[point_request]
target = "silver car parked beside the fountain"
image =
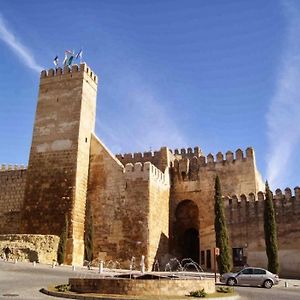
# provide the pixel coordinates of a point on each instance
(251, 276)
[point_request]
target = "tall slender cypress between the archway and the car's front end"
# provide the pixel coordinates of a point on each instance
(224, 259)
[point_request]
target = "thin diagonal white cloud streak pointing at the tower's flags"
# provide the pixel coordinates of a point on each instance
(22, 52)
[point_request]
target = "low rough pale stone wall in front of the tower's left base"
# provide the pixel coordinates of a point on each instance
(30, 247)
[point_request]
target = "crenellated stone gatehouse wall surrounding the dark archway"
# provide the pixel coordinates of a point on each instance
(194, 179)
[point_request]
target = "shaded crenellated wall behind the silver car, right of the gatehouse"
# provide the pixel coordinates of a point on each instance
(245, 223)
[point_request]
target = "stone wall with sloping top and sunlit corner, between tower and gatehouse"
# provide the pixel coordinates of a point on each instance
(130, 206)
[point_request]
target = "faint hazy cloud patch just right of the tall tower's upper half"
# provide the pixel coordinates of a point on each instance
(143, 122)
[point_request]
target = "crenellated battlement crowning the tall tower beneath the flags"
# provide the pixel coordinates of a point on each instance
(69, 72)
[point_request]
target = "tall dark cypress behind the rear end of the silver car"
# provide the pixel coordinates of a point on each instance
(270, 230)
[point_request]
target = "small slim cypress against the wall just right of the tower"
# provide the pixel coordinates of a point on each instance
(89, 236)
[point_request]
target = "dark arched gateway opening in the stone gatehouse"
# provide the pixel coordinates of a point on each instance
(186, 230)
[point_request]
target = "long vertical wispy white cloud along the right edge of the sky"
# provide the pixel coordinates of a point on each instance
(283, 117)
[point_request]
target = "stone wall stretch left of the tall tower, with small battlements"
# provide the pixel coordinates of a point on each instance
(12, 188)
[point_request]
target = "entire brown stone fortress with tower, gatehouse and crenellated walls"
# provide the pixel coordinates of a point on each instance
(160, 205)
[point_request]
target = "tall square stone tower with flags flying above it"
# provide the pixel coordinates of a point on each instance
(57, 176)
